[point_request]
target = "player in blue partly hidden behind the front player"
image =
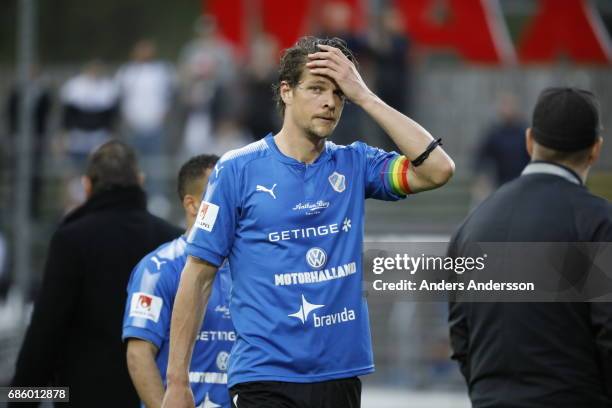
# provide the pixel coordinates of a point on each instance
(151, 293)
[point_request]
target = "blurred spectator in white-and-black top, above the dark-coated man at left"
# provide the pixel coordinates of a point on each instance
(90, 102)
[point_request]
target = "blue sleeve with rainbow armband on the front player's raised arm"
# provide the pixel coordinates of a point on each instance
(379, 178)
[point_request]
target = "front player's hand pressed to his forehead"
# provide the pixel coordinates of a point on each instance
(332, 63)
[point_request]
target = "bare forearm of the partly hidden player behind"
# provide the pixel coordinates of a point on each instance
(144, 372)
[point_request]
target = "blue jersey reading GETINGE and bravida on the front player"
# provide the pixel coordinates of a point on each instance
(293, 234)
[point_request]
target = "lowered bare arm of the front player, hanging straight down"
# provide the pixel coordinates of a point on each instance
(187, 316)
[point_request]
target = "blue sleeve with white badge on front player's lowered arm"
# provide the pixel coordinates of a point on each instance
(212, 235)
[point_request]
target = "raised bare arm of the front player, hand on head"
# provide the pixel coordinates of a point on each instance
(411, 138)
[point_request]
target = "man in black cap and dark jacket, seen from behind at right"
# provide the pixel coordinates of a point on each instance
(524, 355)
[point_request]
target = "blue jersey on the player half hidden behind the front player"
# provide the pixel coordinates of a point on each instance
(151, 292)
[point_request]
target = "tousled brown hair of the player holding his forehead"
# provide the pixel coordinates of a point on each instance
(294, 59)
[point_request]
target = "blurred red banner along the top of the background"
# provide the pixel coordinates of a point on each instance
(474, 29)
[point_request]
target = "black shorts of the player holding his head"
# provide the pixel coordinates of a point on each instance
(343, 393)
